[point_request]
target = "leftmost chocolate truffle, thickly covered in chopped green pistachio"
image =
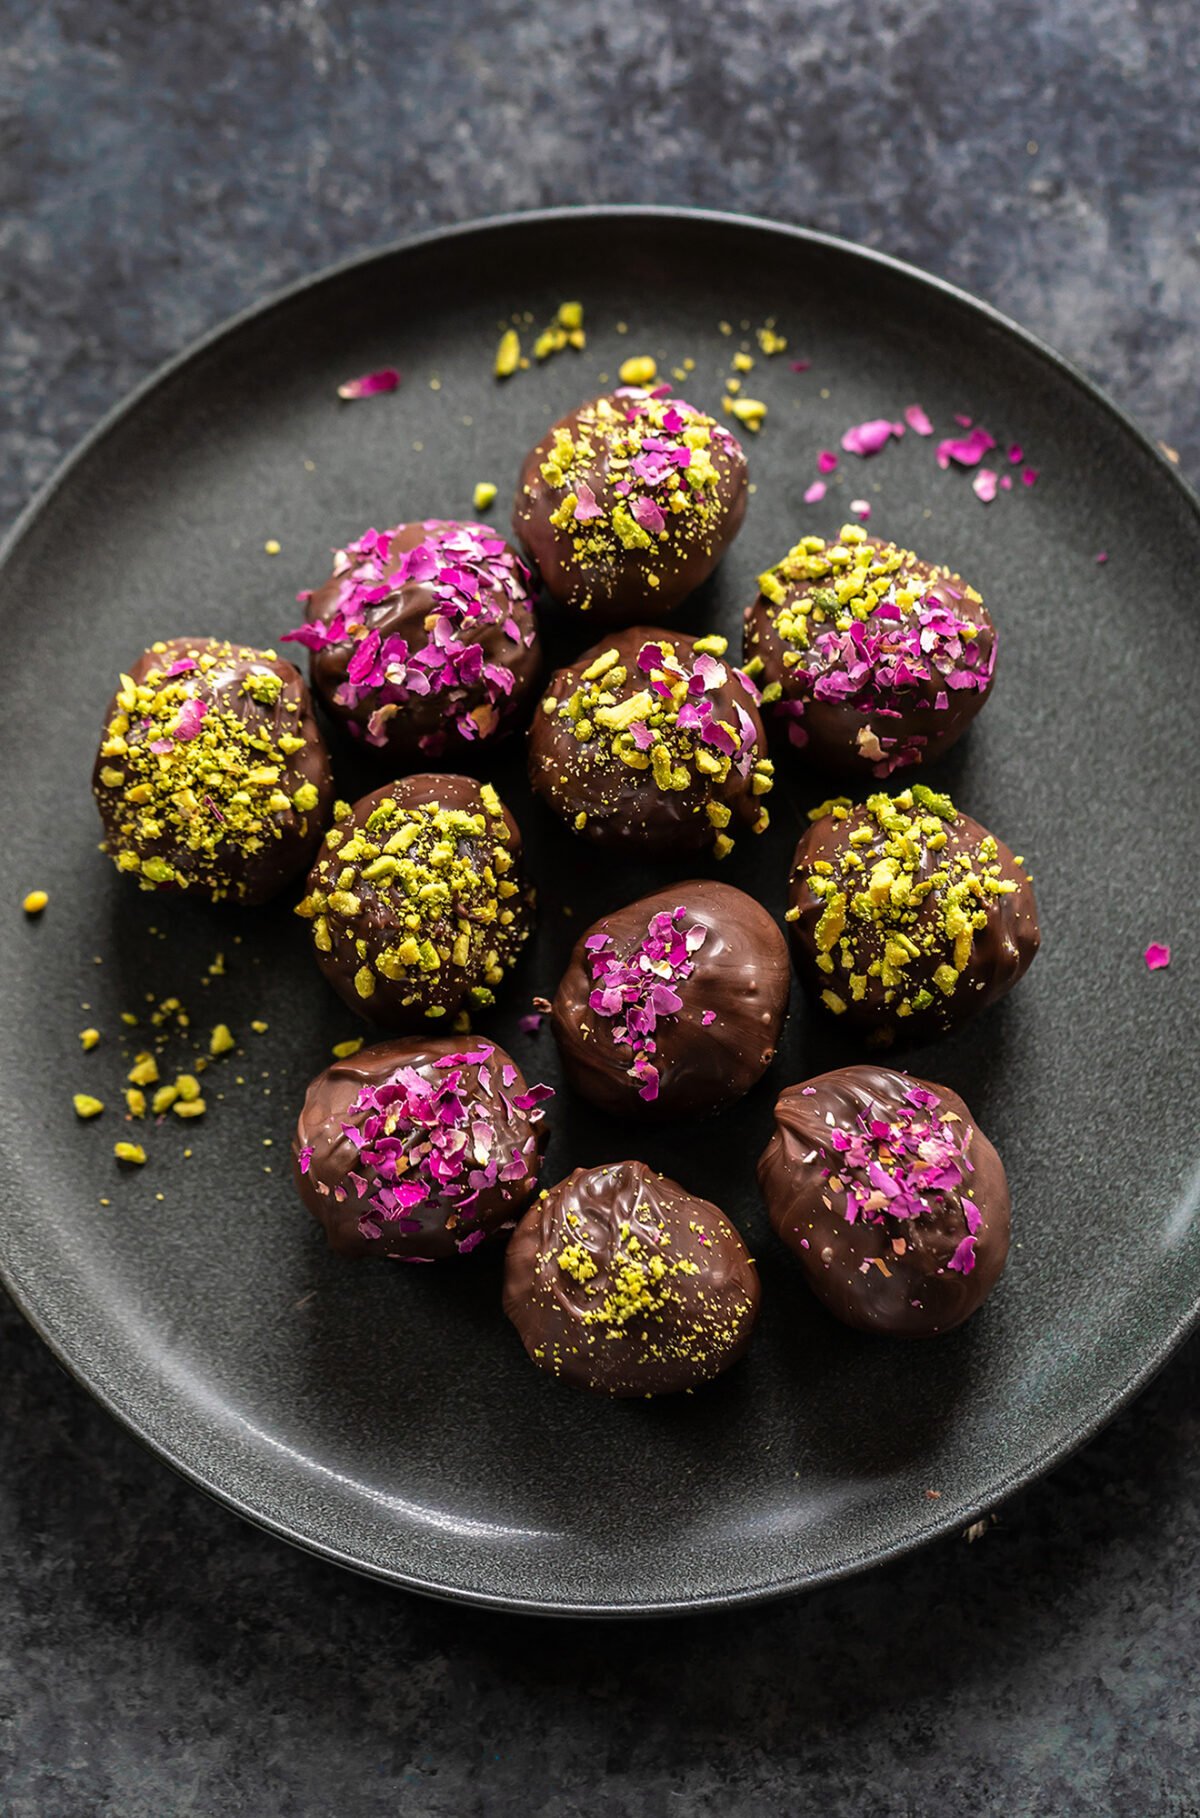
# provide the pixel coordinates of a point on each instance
(212, 774)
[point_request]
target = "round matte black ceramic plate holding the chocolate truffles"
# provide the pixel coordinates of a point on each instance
(388, 1417)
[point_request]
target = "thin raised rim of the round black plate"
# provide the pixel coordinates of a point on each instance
(935, 1524)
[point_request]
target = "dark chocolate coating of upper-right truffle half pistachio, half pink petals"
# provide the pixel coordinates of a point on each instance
(877, 730)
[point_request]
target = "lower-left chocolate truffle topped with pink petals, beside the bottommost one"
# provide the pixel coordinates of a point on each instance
(419, 1150)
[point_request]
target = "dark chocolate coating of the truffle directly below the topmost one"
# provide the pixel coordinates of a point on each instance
(626, 810)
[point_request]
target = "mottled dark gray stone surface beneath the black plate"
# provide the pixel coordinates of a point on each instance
(165, 165)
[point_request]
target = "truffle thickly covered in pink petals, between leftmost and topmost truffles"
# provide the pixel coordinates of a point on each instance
(425, 639)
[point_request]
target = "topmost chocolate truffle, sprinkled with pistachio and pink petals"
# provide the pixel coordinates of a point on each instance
(628, 504)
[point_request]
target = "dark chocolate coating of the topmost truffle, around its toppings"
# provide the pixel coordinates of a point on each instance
(585, 563)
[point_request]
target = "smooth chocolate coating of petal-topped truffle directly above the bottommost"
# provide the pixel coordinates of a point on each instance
(741, 974)
